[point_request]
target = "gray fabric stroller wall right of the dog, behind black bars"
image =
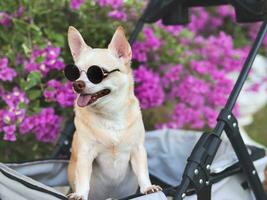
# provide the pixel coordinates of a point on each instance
(169, 149)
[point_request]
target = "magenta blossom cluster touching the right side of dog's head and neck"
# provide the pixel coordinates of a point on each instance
(148, 87)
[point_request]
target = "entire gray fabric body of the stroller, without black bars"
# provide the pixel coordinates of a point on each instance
(167, 153)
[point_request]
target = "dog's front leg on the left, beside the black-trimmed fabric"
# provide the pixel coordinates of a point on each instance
(81, 169)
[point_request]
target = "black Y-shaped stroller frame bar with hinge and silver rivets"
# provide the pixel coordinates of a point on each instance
(206, 148)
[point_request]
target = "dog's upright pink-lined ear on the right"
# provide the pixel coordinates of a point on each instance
(120, 46)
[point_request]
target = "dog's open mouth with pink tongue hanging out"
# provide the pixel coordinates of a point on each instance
(87, 99)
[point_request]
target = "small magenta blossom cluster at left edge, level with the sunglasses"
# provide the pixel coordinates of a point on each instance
(6, 73)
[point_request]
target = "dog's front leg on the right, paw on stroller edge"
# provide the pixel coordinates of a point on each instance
(139, 165)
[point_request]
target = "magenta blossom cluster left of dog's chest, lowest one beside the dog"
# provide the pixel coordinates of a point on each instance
(45, 125)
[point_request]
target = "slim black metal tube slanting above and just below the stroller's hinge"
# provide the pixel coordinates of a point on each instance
(242, 76)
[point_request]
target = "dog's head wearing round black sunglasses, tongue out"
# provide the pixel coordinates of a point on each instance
(111, 69)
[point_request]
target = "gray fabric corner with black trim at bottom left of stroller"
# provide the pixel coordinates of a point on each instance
(20, 187)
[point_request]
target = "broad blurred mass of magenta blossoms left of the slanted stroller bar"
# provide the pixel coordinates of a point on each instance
(201, 86)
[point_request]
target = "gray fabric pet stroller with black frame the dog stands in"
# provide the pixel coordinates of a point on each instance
(188, 165)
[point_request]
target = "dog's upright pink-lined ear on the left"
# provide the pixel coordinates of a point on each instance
(76, 43)
